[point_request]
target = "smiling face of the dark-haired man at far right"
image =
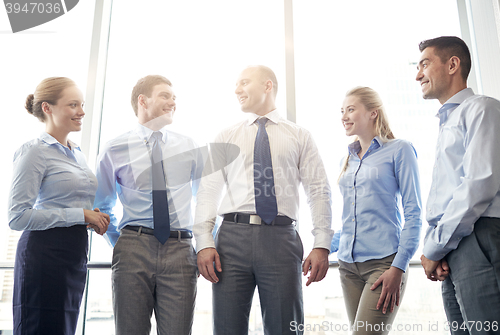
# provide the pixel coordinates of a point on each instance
(434, 76)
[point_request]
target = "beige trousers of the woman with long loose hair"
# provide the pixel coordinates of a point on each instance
(361, 302)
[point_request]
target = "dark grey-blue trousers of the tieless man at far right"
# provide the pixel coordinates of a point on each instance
(471, 293)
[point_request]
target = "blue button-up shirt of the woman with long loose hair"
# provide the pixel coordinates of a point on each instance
(374, 188)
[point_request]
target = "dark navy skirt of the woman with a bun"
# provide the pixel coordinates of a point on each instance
(49, 280)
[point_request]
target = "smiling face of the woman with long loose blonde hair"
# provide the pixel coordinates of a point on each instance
(356, 119)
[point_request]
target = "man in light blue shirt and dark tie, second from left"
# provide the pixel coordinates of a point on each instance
(149, 271)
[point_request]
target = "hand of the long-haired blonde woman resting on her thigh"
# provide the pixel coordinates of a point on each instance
(391, 288)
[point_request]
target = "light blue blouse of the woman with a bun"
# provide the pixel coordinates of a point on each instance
(51, 185)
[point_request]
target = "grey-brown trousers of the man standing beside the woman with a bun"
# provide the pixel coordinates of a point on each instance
(147, 276)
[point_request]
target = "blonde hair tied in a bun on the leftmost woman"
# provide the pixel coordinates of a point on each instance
(49, 90)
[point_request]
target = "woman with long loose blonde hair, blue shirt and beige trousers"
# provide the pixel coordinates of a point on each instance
(379, 174)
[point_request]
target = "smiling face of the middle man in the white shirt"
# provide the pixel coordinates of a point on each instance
(253, 92)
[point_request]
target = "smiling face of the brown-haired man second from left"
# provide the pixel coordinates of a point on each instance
(159, 108)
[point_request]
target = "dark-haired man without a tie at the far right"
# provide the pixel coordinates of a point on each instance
(462, 243)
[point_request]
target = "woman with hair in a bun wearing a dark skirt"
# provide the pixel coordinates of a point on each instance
(51, 200)
